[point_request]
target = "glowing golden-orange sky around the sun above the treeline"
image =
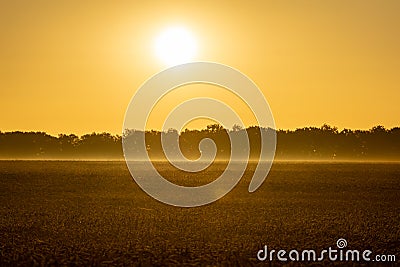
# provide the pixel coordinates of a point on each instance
(73, 66)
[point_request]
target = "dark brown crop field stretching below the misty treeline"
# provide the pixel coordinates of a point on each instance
(93, 213)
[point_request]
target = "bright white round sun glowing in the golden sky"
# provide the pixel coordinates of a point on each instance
(175, 46)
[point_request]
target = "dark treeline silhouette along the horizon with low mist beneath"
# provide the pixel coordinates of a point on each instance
(309, 143)
